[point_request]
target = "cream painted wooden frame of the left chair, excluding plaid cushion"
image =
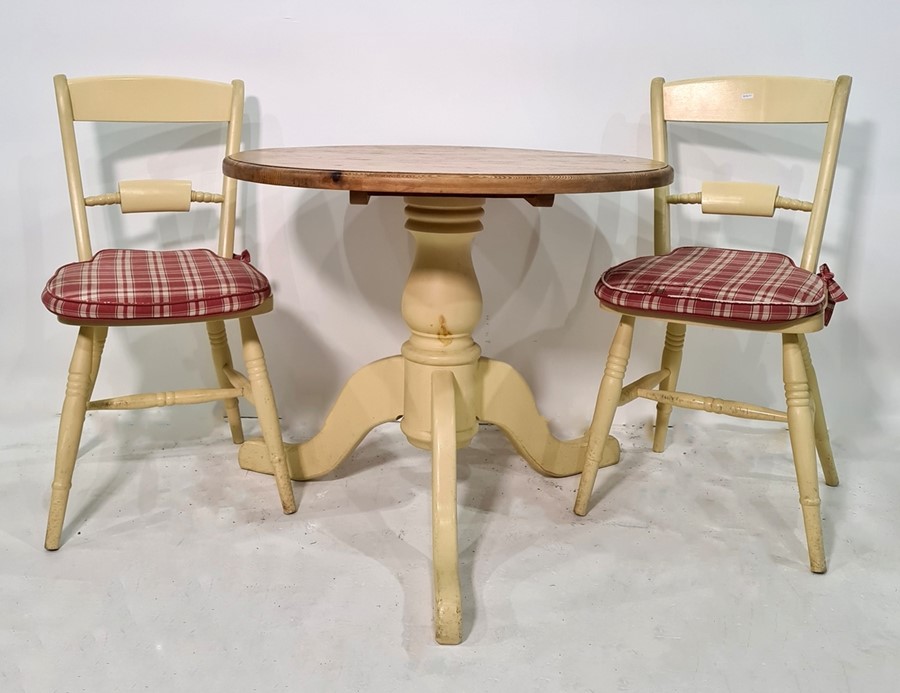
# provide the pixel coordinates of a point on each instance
(166, 100)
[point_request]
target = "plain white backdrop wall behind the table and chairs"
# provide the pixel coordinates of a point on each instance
(568, 75)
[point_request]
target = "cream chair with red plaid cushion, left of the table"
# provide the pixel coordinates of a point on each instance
(157, 287)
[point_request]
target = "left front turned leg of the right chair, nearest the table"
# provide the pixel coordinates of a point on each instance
(605, 409)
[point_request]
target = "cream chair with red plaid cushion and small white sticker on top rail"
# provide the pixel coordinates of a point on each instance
(724, 287)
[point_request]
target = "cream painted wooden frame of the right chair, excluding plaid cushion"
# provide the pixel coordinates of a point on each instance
(738, 100)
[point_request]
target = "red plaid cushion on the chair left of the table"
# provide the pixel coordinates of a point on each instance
(126, 285)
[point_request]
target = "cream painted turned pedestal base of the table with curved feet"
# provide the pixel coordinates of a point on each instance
(440, 388)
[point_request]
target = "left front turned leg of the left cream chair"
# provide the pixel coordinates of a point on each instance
(71, 423)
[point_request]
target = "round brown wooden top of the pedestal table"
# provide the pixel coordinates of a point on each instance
(437, 170)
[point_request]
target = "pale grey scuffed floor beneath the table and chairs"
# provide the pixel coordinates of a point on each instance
(179, 572)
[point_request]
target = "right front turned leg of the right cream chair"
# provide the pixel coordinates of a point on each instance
(802, 431)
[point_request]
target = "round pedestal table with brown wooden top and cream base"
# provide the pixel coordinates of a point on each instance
(440, 387)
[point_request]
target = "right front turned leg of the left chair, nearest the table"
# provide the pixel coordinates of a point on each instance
(266, 410)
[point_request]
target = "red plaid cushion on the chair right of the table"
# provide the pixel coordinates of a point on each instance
(720, 283)
